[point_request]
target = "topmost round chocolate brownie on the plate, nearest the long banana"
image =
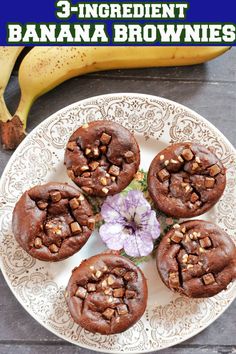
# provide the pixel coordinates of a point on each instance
(102, 158)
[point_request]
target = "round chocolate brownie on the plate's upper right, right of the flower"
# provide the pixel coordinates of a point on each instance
(186, 180)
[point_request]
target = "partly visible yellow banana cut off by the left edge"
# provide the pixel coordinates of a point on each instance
(8, 56)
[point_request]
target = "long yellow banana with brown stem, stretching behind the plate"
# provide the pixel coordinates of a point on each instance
(43, 68)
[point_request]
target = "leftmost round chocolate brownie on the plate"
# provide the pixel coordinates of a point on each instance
(52, 221)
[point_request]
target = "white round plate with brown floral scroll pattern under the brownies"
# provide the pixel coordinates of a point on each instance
(39, 286)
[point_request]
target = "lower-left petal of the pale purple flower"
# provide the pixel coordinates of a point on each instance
(112, 235)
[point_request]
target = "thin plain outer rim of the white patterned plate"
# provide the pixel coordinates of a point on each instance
(24, 143)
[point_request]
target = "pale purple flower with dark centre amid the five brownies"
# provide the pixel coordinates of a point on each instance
(130, 223)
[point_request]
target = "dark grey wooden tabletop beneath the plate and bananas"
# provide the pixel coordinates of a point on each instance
(210, 89)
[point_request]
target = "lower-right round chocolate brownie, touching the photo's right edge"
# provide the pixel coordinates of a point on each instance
(197, 259)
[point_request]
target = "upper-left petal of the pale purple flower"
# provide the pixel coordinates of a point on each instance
(110, 209)
